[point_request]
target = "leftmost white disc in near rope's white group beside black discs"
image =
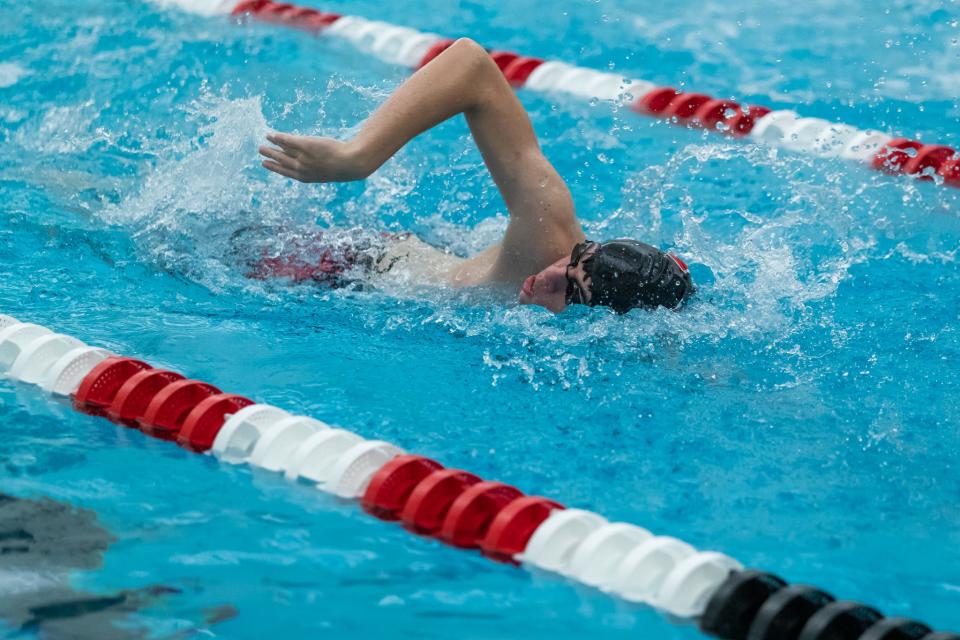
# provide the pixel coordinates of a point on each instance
(553, 543)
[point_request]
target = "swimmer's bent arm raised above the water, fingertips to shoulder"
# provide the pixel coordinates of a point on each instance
(463, 79)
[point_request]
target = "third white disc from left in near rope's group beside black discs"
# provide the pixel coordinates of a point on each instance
(641, 572)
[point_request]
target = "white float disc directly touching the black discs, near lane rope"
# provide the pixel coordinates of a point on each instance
(691, 584)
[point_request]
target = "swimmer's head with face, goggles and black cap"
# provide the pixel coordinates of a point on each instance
(620, 274)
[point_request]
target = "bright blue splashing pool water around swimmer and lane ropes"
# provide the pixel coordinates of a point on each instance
(801, 416)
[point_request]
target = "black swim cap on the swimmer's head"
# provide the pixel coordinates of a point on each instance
(625, 274)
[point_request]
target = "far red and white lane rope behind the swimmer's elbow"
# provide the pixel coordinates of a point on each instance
(783, 128)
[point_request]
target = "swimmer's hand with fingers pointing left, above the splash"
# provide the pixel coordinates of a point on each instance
(312, 159)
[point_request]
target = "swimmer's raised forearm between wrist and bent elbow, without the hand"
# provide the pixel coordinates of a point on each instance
(453, 83)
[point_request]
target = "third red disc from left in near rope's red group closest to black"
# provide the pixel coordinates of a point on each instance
(471, 513)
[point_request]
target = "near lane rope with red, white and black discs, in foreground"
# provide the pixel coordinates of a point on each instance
(451, 505)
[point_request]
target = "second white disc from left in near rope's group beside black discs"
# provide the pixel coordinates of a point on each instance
(596, 558)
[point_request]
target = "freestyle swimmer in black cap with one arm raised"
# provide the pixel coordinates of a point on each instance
(544, 251)
